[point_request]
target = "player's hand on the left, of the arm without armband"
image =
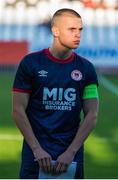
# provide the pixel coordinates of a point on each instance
(44, 159)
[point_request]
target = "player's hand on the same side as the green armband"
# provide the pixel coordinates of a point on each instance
(63, 162)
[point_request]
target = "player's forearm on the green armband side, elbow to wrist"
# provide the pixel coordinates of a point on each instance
(84, 130)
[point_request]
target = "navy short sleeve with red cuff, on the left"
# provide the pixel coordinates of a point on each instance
(23, 77)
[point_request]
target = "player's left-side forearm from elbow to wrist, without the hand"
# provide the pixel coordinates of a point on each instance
(23, 124)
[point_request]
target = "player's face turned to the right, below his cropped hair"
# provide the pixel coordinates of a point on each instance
(68, 31)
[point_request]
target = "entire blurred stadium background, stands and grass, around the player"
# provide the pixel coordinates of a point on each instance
(24, 28)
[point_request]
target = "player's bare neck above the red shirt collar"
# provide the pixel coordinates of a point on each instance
(61, 53)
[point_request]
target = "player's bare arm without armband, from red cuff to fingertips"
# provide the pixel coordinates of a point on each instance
(20, 102)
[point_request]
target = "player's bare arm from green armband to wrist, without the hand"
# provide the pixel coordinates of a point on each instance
(90, 108)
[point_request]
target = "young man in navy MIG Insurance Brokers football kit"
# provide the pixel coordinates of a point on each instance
(50, 90)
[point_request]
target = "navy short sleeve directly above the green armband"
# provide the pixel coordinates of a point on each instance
(91, 75)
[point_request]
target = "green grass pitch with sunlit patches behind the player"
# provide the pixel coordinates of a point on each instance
(101, 157)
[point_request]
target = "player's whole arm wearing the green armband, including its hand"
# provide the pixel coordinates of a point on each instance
(90, 109)
